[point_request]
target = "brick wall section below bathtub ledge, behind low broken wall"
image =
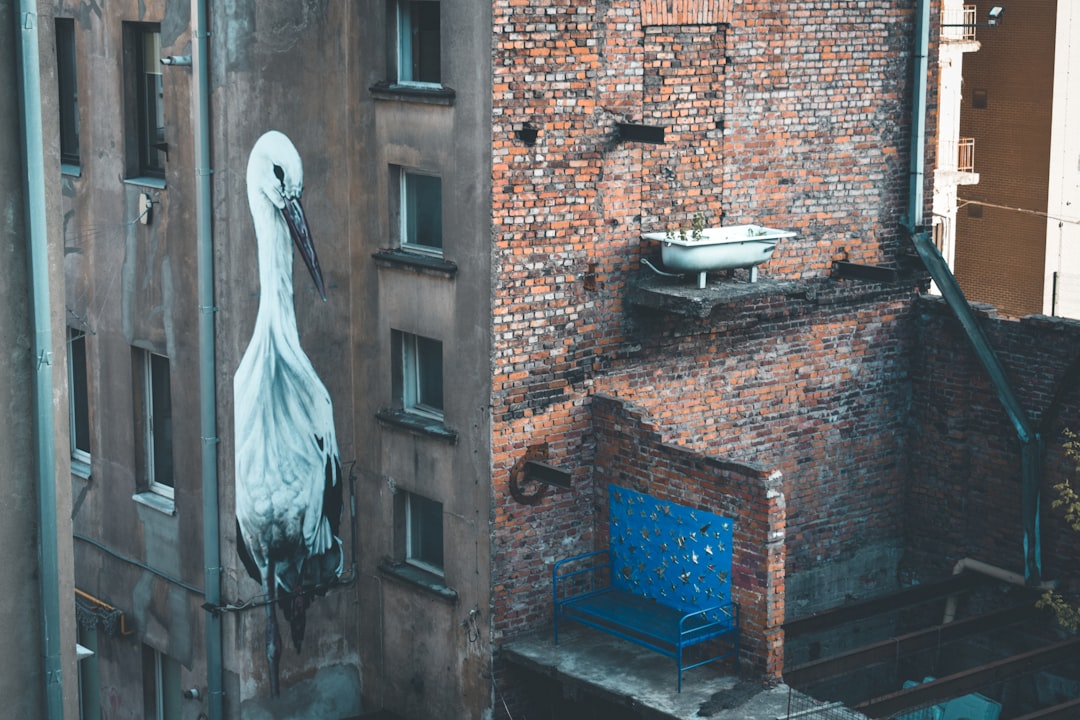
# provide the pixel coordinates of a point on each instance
(816, 388)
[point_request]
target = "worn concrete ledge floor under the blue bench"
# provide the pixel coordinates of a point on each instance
(591, 663)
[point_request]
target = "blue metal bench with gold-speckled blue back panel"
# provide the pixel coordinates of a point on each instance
(665, 583)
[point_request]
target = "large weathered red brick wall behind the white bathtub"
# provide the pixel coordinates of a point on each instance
(790, 115)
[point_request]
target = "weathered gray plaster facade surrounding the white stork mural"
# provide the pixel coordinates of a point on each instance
(304, 70)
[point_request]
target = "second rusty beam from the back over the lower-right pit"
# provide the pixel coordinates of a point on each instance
(904, 645)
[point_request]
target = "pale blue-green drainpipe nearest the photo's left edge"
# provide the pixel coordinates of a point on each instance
(38, 236)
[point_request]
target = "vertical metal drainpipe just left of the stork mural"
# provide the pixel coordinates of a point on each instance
(208, 370)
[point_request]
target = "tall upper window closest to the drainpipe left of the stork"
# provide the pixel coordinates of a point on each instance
(151, 152)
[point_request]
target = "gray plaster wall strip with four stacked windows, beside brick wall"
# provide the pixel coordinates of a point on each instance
(425, 658)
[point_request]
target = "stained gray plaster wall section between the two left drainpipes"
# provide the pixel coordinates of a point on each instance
(133, 286)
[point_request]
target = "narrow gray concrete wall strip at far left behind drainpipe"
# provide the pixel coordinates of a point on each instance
(22, 669)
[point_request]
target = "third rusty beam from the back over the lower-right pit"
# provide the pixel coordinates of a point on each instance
(961, 684)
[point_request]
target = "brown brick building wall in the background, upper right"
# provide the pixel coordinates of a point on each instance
(1001, 255)
